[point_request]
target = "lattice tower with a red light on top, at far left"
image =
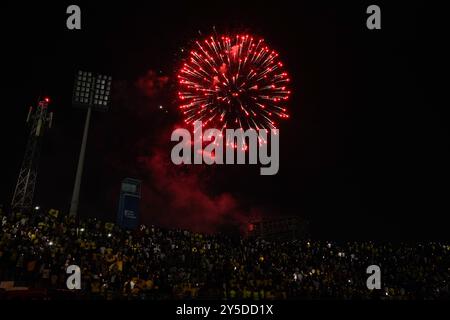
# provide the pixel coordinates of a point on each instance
(38, 118)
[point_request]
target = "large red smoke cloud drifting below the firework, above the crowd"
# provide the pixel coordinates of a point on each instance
(177, 196)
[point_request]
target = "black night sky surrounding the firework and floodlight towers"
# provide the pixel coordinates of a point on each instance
(365, 153)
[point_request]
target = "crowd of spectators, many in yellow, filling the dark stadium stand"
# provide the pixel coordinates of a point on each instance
(156, 263)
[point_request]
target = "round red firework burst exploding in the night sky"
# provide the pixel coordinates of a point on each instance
(233, 82)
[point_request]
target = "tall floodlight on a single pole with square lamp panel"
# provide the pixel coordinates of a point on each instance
(92, 92)
